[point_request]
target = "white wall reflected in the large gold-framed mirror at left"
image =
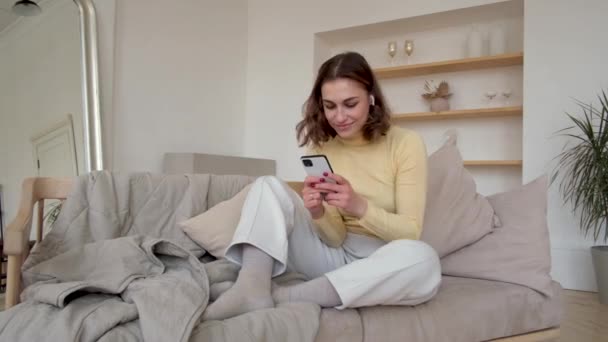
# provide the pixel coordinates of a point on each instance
(40, 83)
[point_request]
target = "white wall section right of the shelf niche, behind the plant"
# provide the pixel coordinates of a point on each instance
(565, 58)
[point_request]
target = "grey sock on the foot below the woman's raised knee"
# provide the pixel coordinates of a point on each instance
(251, 291)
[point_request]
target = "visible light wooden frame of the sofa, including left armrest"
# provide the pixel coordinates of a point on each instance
(37, 190)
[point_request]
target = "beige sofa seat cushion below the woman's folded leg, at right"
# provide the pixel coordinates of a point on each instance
(463, 310)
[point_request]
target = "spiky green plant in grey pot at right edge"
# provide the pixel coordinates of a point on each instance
(583, 167)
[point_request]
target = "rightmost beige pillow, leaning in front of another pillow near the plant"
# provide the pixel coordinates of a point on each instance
(518, 252)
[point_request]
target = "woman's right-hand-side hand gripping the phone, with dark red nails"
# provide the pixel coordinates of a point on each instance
(342, 195)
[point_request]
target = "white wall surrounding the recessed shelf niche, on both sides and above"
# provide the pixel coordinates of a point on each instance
(563, 44)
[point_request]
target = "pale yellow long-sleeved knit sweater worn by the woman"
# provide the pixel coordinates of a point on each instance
(391, 173)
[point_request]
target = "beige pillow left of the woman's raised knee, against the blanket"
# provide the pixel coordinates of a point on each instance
(213, 229)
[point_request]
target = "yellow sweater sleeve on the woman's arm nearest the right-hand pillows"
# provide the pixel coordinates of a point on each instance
(410, 162)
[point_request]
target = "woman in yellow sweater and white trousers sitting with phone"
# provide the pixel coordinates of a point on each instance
(356, 239)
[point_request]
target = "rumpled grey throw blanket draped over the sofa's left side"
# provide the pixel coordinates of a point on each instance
(116, 267)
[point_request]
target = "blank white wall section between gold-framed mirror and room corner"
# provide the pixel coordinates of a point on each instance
(179, 80)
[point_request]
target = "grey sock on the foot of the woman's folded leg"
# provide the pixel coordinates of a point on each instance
(319, 291)
